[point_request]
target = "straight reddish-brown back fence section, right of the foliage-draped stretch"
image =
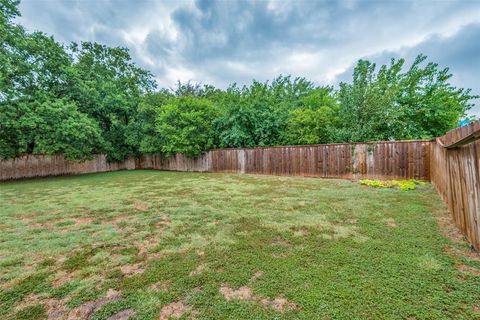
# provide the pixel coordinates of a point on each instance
(392, 160)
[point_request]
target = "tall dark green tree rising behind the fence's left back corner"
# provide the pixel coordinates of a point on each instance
(108, 86)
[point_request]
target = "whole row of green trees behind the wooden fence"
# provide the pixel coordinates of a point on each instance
(88, 98)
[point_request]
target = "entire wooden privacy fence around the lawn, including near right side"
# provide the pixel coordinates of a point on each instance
(451, 162)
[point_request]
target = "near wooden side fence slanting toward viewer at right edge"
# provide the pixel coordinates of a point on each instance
(455, 173)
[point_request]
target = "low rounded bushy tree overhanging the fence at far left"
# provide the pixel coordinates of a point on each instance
(49, 127)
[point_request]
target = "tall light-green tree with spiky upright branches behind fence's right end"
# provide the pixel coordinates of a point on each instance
(392, 104)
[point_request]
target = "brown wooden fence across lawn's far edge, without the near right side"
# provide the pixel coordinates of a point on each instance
(401, 159)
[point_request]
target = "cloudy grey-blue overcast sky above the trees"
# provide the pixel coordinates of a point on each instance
(220, 42)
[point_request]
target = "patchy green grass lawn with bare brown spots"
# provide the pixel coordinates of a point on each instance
(154, 245)
